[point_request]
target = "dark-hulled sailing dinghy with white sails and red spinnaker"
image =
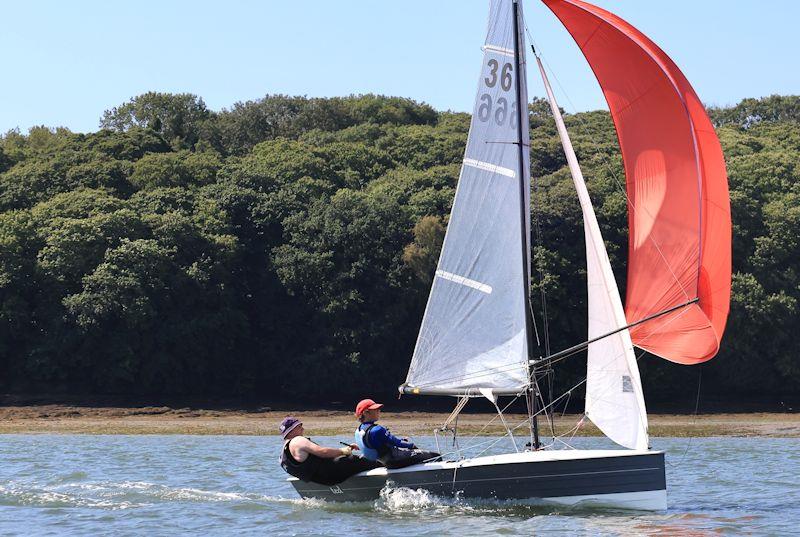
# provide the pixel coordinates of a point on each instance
(477, 337)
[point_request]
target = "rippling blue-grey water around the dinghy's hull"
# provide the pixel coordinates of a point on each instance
(232, 485)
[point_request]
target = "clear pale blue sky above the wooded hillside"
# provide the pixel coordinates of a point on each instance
(64, 63)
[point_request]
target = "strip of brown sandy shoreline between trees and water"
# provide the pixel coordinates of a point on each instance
(67, 419)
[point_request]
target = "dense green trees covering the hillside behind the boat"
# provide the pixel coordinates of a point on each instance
(284, 248)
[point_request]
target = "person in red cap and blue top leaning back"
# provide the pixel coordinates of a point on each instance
(377, 443)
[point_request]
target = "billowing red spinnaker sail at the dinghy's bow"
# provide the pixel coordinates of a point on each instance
(679, 209)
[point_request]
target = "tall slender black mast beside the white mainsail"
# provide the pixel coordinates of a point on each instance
(522, 108)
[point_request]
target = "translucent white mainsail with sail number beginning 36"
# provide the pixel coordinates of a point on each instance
(473, 333)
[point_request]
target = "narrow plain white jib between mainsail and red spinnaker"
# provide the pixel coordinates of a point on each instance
(614, 399)
